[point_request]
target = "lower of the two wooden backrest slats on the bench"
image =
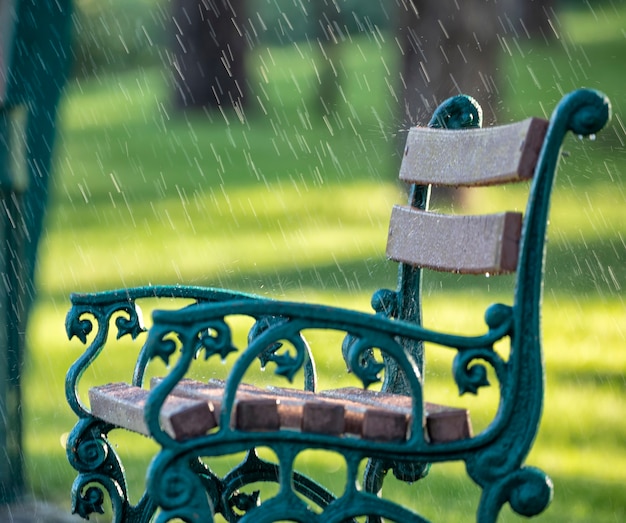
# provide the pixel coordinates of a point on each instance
(465, 244)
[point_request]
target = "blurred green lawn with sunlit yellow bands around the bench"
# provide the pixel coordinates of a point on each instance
(285, 203)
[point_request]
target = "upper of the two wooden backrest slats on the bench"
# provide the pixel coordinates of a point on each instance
(473, 157)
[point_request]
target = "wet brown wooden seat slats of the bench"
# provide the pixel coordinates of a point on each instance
(194, 407)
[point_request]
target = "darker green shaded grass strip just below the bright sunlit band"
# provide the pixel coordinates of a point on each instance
(593, 268)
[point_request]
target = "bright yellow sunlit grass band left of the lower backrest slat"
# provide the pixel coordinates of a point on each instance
(193, 240)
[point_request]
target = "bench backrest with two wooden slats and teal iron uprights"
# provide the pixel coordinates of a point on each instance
(455, 152)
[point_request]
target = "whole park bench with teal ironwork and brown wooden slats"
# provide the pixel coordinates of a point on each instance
(392, 428)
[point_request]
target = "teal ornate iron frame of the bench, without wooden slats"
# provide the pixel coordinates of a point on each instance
(181, 484)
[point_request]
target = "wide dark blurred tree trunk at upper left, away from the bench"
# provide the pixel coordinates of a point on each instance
(209, 49)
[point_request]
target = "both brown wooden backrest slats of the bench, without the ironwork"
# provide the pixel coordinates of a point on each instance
(459, 243)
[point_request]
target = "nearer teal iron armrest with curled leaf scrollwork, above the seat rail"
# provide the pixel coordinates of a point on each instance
(202, 330)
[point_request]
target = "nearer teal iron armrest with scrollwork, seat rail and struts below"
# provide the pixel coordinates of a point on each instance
(364, 331)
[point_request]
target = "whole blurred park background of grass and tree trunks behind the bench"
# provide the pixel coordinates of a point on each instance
(282, 183)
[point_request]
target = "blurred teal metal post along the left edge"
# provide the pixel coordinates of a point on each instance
(34, 61)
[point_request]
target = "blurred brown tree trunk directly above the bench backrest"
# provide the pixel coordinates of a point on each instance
(448, 47)
